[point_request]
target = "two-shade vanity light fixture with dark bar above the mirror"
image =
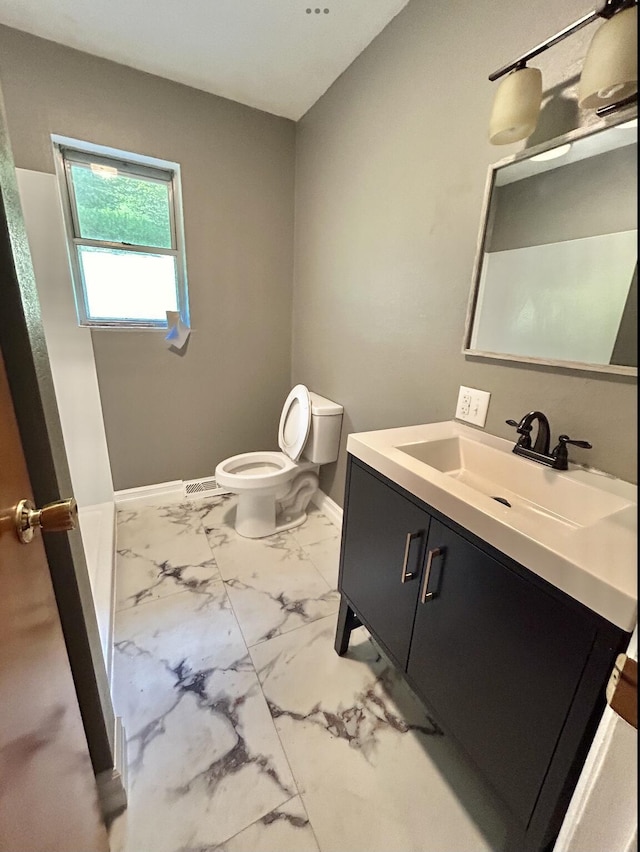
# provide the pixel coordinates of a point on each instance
(609, 78)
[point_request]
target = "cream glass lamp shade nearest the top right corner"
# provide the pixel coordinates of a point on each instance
(610, 71)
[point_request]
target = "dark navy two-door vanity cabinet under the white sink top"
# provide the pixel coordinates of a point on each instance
(509, 666)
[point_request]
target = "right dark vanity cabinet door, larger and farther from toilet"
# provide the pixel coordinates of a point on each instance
(499, 660)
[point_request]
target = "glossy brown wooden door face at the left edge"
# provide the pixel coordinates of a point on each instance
(48, 798)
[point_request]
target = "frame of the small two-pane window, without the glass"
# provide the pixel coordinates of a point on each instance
(70, 151)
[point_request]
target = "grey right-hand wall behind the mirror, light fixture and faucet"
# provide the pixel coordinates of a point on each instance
(390, 172)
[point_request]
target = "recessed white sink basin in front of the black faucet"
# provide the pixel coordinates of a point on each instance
(521, 485)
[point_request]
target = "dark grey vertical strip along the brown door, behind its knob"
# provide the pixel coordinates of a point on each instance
(28, 370)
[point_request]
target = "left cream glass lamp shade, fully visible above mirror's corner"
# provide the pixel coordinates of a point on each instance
(516, 106)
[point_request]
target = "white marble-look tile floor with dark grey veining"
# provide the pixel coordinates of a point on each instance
(245, 731)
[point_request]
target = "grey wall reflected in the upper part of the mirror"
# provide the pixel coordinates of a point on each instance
(594, 196)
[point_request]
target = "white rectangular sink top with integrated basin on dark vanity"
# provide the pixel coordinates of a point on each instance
(577, 529)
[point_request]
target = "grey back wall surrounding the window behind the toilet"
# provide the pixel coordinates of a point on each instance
(166, 416)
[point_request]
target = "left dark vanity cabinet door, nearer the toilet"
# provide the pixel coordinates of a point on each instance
(383, 543)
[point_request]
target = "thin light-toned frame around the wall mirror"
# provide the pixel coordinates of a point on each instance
(573, 135)
